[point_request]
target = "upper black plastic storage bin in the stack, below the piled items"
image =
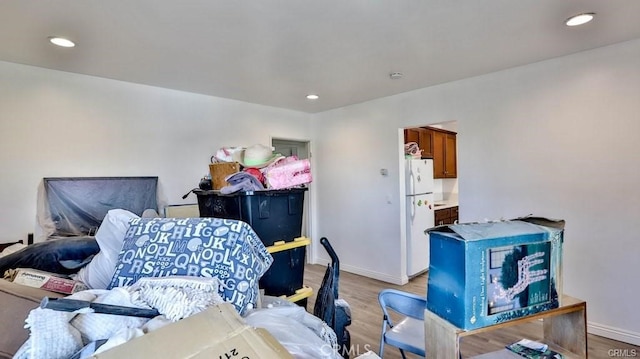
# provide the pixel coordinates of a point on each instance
(275, 215)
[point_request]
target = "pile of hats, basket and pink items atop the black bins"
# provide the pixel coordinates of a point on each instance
(255, 168)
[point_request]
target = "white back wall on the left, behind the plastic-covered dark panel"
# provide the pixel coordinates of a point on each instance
(60, 124)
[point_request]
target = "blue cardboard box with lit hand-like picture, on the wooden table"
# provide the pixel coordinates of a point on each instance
(486, 273)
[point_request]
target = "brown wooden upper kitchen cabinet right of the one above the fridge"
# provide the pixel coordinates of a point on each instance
(445, 163)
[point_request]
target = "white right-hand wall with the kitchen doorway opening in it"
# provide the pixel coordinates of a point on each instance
(557, 138)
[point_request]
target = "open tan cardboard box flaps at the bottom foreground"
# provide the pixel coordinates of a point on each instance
(218, 332)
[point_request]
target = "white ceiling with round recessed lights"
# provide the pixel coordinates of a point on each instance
(274, 52)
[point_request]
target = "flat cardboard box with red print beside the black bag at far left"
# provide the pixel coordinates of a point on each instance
(45, 280)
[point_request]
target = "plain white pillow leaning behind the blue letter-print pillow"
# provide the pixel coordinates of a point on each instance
(110, 236)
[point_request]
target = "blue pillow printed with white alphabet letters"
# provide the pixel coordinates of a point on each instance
(202, 247)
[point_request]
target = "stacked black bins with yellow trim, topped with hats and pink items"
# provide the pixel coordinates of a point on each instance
(265, 190)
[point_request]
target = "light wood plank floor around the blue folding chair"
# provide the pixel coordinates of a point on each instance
(362, 295)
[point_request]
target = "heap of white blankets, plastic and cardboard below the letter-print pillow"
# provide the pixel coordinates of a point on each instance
(90, 323)
